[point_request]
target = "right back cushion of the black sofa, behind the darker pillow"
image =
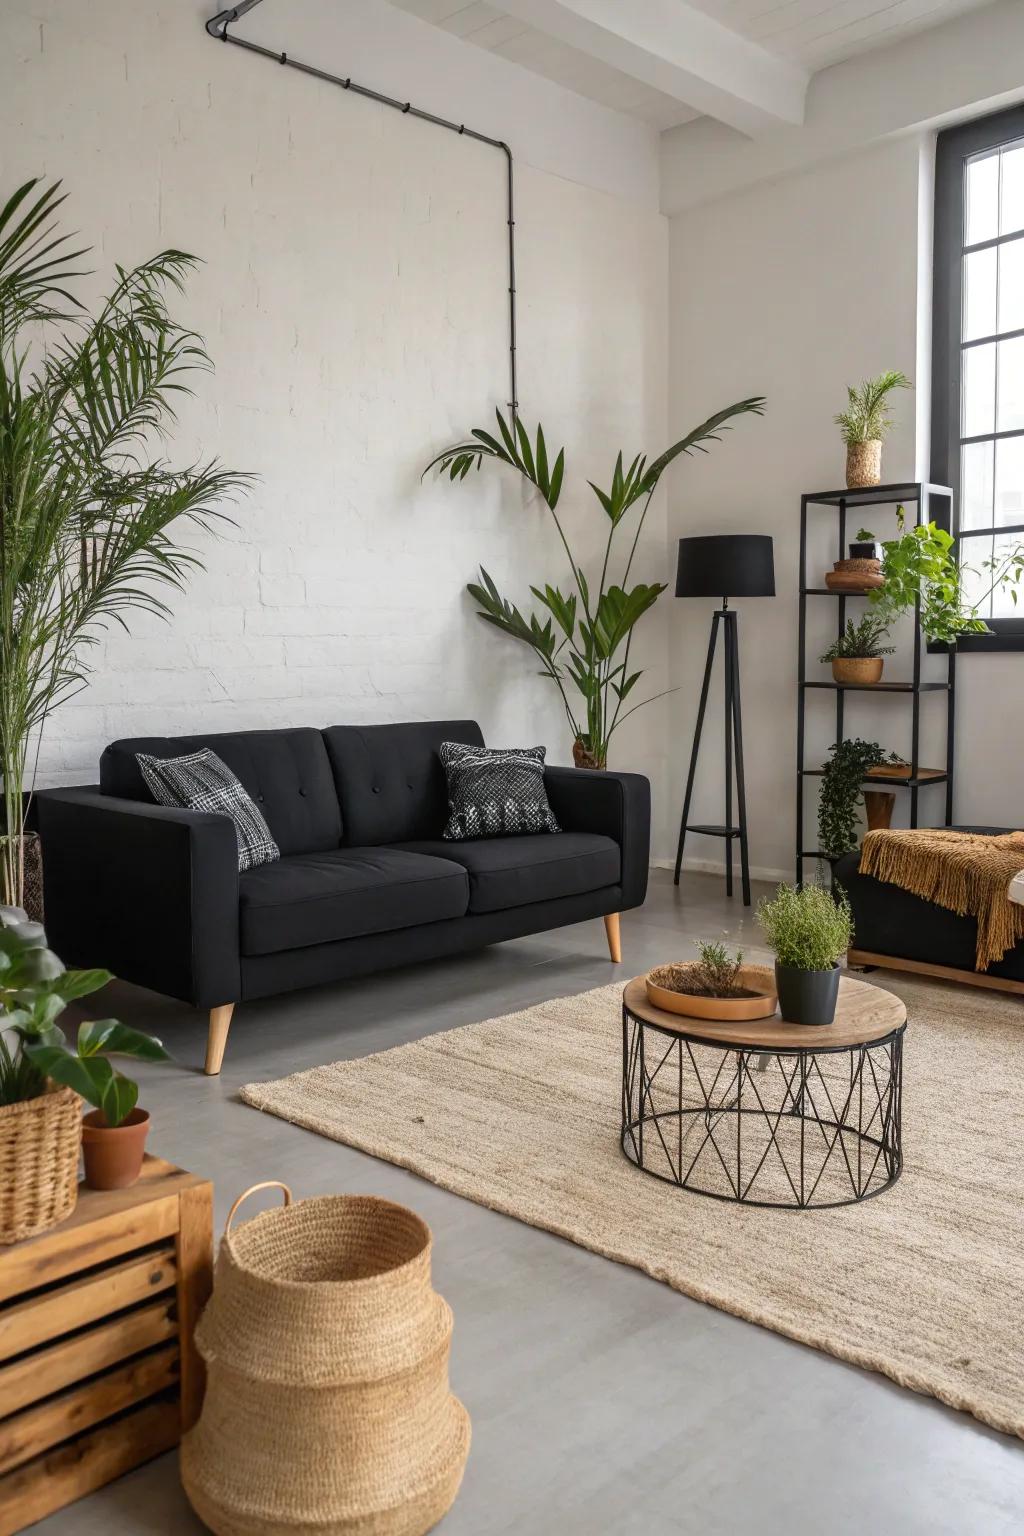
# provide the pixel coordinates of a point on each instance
(389, 778)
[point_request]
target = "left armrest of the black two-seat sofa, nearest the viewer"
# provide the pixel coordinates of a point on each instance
(148, 892)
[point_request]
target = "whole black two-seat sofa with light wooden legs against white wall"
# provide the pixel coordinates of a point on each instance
(365, 879)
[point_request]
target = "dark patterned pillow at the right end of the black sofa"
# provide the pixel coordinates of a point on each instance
(495, 793)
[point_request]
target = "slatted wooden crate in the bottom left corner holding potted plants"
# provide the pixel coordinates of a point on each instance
(97, 1365)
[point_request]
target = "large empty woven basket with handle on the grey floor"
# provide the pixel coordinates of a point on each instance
(328, 1405)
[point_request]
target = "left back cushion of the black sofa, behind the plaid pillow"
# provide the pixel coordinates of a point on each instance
(286, 773)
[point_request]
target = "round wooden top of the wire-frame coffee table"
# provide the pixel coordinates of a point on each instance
(865, 1013)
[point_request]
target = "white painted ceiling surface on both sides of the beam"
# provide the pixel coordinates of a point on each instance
(811, 35)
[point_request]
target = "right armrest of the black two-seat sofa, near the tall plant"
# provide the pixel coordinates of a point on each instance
(613, 804)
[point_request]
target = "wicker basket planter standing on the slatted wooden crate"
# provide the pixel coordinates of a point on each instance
(41, 1140)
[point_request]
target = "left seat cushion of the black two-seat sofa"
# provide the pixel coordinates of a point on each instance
(314, 899)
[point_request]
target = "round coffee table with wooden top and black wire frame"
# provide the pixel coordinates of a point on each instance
(765, 1113)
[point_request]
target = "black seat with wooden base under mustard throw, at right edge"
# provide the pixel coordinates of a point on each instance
(900, 932)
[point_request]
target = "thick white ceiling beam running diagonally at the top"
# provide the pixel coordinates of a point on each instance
(679, 51)
